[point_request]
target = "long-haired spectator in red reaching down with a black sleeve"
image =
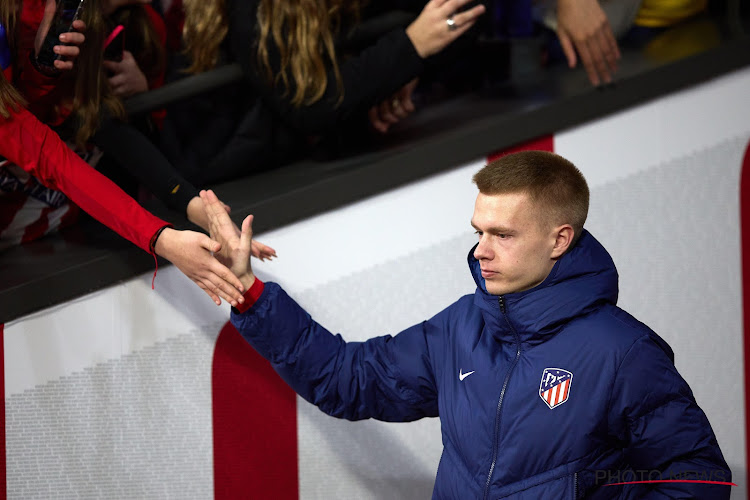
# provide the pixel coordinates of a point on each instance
(98, 114)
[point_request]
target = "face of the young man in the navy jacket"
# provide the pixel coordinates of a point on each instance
(515, 243)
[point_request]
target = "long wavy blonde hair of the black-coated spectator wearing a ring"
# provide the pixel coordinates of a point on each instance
(302, 30)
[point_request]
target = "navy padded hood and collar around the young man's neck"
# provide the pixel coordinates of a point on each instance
(582, 279)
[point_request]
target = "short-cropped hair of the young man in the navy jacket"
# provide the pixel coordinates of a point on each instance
(551, 181)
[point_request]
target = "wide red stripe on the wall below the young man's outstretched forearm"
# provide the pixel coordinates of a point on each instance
(255, 424)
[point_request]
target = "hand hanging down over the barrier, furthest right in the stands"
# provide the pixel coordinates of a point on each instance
(582, 27)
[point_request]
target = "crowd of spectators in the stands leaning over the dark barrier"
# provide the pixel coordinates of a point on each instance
(321, 78)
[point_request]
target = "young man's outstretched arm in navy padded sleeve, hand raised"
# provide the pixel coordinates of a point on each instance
(388, 378)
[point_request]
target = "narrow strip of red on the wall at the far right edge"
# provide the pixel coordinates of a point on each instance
(745, 231)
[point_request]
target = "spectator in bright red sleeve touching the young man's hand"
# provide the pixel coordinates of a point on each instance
(27, 146)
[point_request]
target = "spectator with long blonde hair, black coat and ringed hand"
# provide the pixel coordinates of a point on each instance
(299, 92)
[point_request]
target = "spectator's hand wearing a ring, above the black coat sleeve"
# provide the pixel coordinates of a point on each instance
(431, 32)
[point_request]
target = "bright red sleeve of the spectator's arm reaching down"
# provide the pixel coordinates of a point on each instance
(38, 150)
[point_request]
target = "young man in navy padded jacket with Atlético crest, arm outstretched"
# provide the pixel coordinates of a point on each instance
(544, 388)
